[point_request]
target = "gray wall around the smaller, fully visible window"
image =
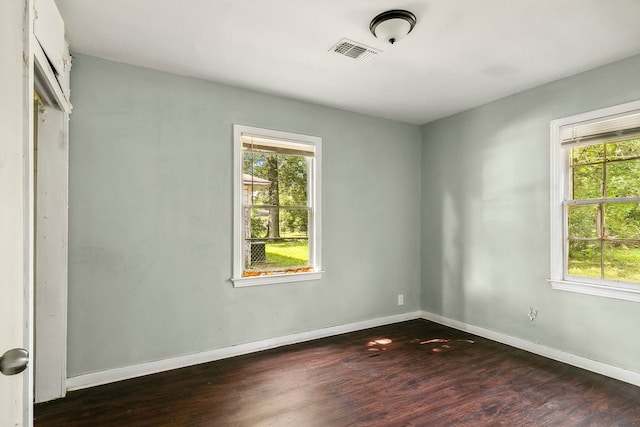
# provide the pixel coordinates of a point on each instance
(151, 218)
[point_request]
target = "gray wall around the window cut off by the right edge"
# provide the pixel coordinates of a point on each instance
(485, 221)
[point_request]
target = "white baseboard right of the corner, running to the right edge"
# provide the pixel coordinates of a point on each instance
(551, 353)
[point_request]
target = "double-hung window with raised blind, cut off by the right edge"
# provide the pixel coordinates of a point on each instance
(595, 202)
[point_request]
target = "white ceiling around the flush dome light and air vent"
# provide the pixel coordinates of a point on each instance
(462, 53)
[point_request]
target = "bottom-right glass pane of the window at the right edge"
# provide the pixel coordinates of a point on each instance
(622, 261)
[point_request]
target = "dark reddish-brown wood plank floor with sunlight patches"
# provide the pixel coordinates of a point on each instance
(414, 373)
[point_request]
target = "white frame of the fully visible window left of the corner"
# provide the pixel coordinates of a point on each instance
(315, 223)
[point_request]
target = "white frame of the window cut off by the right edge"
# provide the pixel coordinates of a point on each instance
(559, 191)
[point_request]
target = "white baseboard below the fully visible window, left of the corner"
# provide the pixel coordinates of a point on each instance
(128, 372)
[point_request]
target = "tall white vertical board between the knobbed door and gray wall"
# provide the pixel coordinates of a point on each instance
(50, 357)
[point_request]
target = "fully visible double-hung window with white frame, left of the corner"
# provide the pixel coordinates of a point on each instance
(277, 230)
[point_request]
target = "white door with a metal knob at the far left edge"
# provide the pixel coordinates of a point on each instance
(15, 228)
